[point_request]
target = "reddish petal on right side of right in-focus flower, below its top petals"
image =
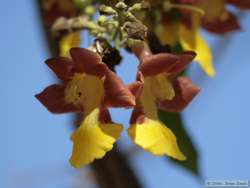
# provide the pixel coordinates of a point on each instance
(185, 92)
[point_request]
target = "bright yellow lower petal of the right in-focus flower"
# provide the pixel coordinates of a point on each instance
(153, 136)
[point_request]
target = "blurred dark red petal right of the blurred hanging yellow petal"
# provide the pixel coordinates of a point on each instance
(222, 26)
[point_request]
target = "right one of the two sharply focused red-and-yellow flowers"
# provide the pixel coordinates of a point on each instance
(161, 89)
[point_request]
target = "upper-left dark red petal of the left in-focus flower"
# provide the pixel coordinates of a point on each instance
(62, 67)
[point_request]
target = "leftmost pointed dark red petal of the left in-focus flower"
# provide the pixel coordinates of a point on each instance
(52, 98)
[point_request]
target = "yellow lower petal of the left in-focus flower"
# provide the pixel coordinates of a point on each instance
(92, 140)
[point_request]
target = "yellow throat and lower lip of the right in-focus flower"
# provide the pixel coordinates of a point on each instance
(146, 129)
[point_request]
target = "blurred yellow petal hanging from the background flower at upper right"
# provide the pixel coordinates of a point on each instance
(192, 40)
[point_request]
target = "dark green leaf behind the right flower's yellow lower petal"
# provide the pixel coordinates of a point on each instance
(174, 122)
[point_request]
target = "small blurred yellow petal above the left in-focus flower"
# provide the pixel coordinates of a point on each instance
(69, 41)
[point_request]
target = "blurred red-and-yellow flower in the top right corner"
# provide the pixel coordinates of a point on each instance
(217, 19)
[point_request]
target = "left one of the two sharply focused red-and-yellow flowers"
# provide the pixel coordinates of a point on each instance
(88, 87)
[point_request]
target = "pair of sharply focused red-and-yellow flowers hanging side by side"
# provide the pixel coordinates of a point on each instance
(89, 87)
